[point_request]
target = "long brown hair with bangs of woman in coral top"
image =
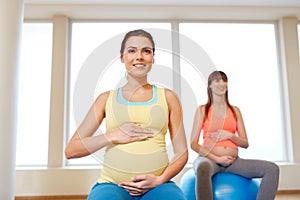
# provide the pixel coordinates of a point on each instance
(216, 75)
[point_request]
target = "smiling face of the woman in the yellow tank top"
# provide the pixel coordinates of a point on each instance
(138, 56)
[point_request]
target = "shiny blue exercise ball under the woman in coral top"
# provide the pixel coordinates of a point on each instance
(226, 186)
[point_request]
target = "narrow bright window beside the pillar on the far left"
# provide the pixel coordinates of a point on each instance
(34, 95)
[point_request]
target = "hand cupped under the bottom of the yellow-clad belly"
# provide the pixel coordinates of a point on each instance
(140, 184)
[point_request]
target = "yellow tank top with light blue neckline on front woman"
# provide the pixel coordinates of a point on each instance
(123, 161)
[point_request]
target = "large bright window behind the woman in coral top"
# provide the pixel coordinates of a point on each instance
(247, 53)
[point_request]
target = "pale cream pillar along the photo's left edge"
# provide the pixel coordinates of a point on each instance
(11, 17)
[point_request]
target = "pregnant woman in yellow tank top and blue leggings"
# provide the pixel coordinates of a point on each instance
(138, 116)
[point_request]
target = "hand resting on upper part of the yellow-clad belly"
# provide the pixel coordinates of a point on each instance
(129, 132)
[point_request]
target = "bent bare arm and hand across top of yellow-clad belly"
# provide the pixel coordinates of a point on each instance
(83, 142)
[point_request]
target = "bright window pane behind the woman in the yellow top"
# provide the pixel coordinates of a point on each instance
(96, 67)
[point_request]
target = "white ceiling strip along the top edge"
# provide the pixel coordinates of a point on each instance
(284, 3)
